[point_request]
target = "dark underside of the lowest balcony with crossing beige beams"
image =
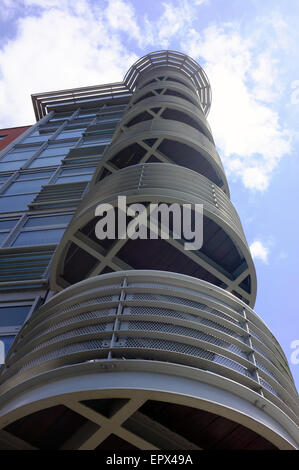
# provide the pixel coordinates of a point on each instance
(130, 420)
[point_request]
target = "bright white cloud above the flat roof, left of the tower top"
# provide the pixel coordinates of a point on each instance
(59, 49)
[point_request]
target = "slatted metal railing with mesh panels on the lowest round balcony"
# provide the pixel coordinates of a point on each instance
(159, 318)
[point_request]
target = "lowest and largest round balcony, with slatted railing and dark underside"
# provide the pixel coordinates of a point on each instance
(135, 354)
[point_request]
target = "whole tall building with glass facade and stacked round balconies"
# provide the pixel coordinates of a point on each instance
(124, 343)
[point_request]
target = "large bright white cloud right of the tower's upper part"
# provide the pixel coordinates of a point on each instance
(244, 85)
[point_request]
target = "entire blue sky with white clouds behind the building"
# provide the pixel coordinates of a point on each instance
(249, 50)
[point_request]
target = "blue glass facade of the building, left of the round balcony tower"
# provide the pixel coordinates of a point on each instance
(41, 184)
